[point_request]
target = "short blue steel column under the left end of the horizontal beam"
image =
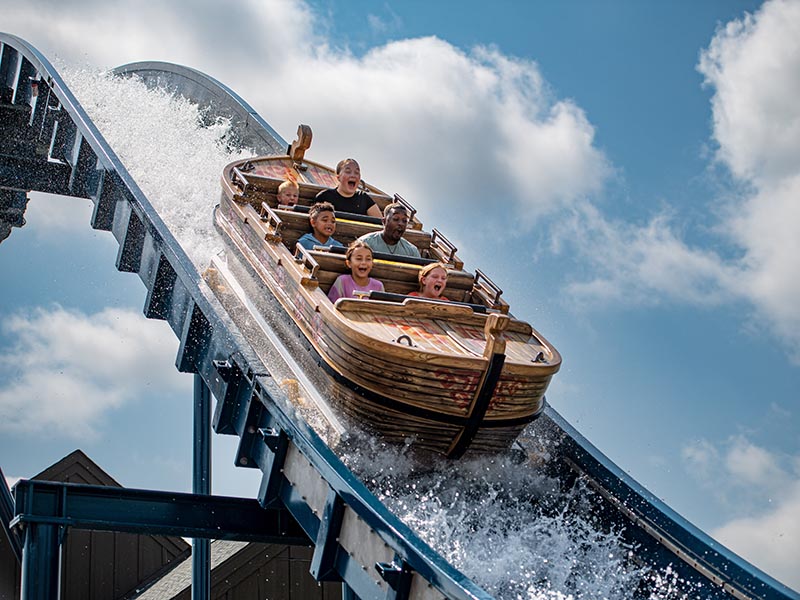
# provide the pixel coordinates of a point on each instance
(41, 562)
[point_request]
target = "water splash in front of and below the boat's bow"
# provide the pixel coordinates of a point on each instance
(506, 524)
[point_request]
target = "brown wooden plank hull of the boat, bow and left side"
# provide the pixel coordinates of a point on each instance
(431, 392)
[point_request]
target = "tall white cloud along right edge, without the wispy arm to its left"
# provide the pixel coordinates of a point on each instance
(753, 65)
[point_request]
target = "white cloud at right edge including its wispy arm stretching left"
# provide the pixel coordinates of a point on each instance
(753, 67)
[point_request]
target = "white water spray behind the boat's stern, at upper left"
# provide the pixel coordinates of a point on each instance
(175, 161)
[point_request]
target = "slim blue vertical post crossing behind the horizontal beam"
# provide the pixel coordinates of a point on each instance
(201, 484)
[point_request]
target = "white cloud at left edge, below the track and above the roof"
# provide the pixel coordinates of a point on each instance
(66, 370)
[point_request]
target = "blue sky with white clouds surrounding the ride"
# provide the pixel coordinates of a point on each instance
(627, 172)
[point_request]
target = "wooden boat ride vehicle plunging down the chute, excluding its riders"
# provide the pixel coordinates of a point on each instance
(449, 375)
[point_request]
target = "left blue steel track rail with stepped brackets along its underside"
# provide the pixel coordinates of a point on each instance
(249, 403)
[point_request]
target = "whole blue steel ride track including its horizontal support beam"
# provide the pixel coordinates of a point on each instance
(307, 495)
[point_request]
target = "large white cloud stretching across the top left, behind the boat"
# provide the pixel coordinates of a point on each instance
(470, 125)
